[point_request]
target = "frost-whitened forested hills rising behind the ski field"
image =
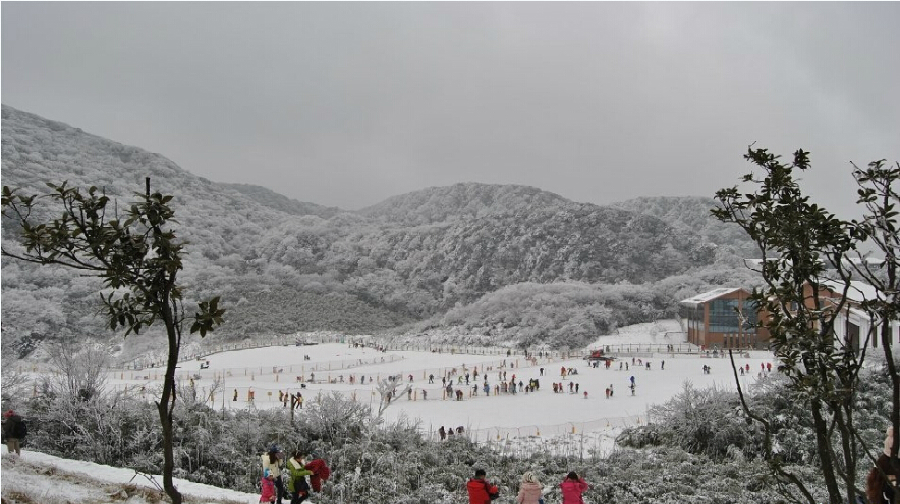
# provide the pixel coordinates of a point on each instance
(282, 265)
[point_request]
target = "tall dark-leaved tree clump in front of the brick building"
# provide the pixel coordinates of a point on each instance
(805, 251)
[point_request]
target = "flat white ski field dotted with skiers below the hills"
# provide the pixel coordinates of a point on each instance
(231, 377)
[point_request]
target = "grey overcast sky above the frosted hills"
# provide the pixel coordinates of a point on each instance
(345, 104)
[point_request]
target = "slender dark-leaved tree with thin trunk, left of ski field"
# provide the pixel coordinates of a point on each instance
(138, 257)
